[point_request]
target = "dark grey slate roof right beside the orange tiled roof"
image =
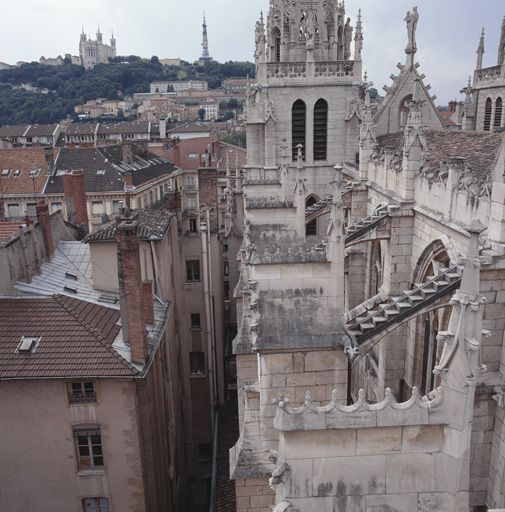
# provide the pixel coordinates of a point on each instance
(104, 170)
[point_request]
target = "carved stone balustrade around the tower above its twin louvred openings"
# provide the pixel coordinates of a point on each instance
(282, 70)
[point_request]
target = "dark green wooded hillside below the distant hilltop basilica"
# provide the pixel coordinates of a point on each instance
(71, 85)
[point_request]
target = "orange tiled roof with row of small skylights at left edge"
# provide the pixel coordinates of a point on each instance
(24, 160)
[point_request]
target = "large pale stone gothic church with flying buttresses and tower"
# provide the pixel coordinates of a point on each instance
(371, 296)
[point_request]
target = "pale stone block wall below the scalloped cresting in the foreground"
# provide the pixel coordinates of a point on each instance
(393, 469)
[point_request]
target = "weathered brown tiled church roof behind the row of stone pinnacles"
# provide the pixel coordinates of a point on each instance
(480, 150)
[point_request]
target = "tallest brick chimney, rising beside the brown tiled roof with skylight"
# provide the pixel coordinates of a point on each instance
(131, 291)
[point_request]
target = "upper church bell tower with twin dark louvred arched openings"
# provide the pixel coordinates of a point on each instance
(307, 90)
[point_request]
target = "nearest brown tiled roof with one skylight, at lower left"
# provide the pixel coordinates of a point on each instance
(75, 339)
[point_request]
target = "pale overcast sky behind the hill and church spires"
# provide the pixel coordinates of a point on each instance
(448, 32)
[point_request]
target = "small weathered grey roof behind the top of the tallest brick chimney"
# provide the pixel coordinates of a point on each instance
(153, 225)
